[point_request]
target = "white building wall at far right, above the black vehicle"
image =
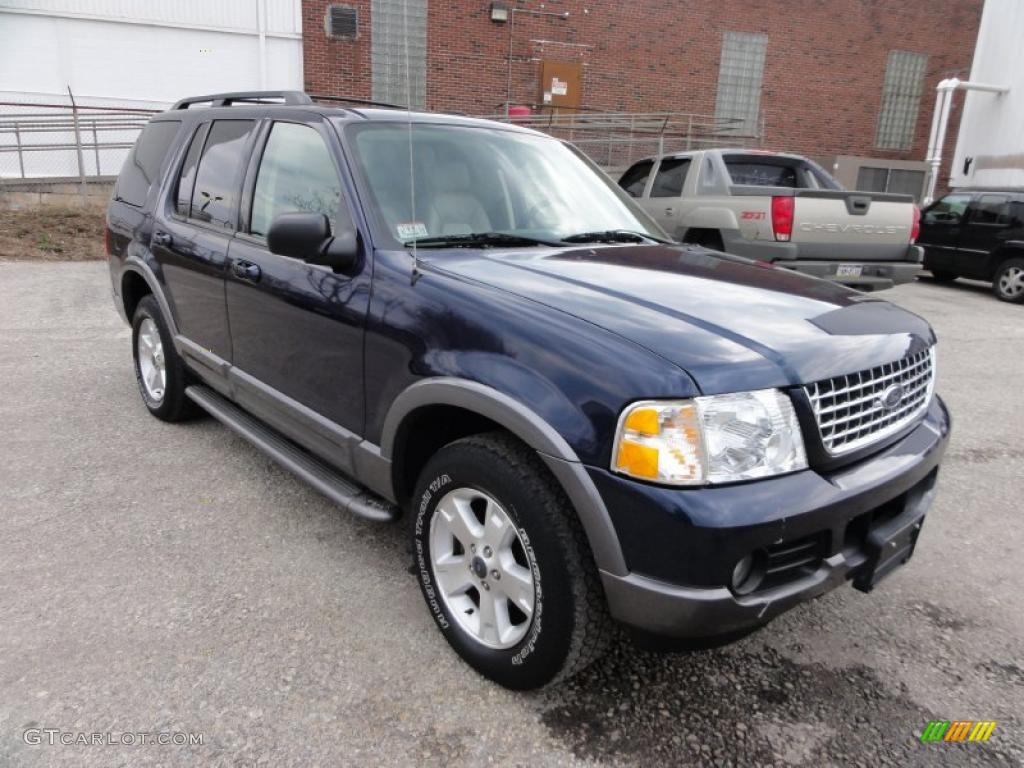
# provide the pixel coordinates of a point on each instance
(993, 126)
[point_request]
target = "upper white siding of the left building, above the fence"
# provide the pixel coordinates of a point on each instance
(147, 53)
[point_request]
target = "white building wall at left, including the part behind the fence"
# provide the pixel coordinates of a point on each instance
(142, 54)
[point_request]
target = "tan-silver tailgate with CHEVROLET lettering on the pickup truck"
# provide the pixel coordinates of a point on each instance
(840, 226)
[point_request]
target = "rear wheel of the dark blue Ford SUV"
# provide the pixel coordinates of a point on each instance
(159, 370)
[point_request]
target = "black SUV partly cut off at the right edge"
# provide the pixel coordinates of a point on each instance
(977, 234)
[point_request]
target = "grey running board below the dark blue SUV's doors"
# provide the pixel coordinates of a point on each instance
(328, 481)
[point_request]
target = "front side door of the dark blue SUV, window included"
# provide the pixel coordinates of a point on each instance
(297, 328)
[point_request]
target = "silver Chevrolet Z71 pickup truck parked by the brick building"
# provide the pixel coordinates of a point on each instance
(784, 209)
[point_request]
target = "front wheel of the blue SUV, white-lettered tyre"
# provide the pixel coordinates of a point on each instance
(504, 566)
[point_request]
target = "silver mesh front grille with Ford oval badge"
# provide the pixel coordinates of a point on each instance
(857, 410)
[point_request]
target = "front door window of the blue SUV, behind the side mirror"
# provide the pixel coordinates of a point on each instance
(296, 174)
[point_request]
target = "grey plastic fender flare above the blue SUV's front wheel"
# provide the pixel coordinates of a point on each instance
(533, 431)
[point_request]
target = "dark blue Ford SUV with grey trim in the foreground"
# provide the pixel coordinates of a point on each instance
(470, 323)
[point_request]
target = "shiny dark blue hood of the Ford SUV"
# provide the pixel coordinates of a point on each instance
(731, 324)
